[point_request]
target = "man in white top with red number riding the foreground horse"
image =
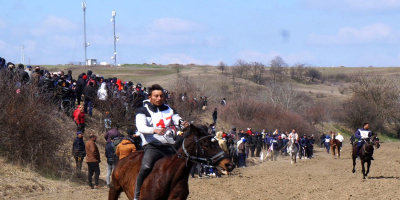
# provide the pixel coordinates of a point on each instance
(153, 122)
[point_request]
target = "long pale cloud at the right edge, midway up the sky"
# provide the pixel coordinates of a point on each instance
(381, 33)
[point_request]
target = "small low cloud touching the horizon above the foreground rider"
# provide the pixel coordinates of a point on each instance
(175, 58)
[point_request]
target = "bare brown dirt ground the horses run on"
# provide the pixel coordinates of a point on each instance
(320, 178)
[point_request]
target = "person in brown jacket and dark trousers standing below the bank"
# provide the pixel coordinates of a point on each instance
(93, 160)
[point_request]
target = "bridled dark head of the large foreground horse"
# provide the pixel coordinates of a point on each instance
(202, 147)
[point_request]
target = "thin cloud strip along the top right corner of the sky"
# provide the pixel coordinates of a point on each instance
(355, 5)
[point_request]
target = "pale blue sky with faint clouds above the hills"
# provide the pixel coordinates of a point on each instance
(352, 33)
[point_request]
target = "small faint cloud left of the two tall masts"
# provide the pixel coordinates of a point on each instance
(52, 25)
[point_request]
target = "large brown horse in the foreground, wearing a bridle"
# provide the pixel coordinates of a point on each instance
(170, 175)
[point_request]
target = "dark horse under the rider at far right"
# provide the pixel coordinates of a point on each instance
(366, 152)
